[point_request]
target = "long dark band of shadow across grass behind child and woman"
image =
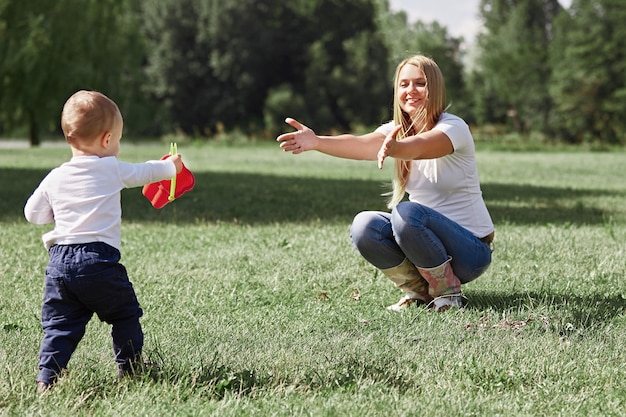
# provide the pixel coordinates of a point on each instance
(265, 199)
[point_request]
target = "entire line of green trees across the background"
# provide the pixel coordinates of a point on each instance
(204, 67)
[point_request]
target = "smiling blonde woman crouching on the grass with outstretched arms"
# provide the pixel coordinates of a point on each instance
(440, 238)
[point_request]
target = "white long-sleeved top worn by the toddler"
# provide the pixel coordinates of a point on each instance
(82, 198)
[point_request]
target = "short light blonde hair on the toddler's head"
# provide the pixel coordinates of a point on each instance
(87, 115)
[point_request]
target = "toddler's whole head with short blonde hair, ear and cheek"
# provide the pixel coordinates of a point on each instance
(91, 120)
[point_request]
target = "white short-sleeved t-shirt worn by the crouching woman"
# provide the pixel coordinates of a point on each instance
(450, 184)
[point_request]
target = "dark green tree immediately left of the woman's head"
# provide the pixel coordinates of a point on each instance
(345, 75)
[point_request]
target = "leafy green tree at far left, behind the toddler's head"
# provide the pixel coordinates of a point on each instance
(48, 50)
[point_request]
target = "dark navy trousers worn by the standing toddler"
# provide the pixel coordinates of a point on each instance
(80, 280)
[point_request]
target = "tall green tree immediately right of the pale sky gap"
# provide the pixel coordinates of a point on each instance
(513, 72)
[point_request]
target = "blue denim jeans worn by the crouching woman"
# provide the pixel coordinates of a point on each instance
(423, 235)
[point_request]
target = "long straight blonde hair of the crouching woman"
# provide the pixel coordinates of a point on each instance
(425, 120)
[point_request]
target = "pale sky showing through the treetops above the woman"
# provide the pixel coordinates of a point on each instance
(459, 16)
